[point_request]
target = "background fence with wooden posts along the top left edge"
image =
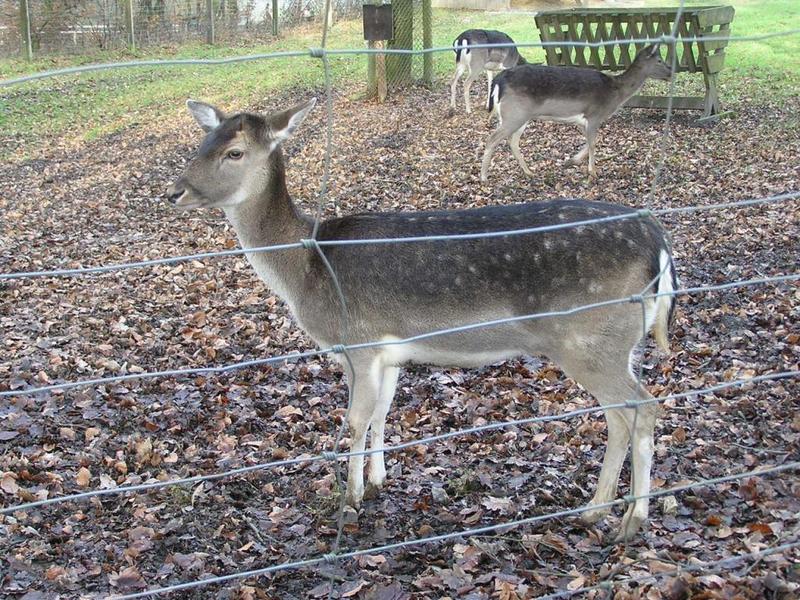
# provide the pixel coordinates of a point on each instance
(86, 26)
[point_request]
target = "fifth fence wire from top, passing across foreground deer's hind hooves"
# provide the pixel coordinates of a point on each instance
(464, 533)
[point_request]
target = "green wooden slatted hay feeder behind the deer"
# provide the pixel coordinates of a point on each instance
(623, 25)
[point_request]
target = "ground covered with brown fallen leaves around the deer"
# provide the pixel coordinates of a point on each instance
(102, 202)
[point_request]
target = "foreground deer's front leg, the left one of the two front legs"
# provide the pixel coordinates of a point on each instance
(365, 385)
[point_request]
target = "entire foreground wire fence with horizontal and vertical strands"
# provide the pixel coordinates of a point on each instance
(344, 348)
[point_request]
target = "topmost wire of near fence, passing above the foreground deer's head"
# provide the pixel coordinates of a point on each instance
(319, 52)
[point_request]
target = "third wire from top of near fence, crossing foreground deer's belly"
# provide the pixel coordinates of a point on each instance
(341, 348)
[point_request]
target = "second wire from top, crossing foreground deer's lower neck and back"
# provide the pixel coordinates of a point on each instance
(634, 214)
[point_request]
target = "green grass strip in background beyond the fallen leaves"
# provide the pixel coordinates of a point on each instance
(94, 104)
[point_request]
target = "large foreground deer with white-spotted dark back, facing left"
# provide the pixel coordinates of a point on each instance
(398, 290)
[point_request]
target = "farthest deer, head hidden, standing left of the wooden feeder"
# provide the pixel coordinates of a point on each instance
(473, 61)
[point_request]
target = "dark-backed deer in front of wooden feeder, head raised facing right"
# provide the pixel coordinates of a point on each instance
(576, 95)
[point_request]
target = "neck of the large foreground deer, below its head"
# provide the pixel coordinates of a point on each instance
(269, 218)
